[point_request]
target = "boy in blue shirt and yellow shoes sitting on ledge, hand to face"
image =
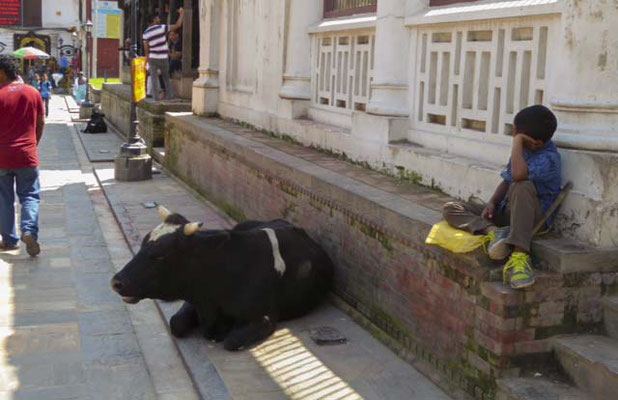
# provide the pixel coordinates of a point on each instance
(531, 183)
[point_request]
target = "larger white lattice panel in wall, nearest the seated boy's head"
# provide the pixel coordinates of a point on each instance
(474, 77)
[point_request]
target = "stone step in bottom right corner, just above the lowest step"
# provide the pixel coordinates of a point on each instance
(591, 361)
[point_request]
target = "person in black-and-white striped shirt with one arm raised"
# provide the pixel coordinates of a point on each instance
(157, 53)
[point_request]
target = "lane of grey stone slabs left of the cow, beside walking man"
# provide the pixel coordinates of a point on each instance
(64, 334)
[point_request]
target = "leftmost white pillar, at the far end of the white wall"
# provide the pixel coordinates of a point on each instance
(206, 87)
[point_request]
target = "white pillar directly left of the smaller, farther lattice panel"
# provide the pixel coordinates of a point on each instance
(300, 15)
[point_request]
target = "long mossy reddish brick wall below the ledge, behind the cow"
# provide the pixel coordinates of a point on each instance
(444, 309)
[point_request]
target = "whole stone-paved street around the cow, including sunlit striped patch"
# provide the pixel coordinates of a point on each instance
(66, 335)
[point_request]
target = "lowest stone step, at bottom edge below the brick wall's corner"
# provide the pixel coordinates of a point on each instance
(537, 389)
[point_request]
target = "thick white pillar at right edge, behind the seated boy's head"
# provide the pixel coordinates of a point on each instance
(584, 86)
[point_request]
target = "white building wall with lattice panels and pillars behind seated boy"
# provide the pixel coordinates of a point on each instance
(562, 53)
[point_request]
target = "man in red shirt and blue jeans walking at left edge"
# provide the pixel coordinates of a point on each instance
(22, 117)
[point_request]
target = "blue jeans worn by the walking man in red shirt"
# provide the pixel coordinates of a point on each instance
(24, 181)
